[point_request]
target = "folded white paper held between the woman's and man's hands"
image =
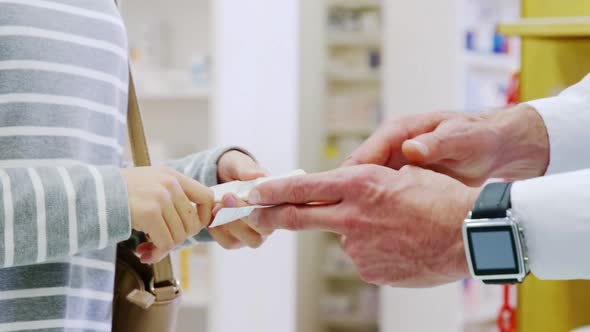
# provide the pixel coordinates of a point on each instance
(242, 190)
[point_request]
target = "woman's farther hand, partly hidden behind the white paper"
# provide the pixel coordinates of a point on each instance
(237, 166)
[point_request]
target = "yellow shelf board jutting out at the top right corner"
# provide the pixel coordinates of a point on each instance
(548, 27)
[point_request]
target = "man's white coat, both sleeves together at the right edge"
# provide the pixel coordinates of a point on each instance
(554, 210)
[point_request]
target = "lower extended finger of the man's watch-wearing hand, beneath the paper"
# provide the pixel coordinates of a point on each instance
(298, 218)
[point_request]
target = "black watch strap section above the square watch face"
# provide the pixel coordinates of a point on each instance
(493, 201)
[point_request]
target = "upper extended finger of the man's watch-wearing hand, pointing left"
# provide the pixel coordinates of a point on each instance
(311, 188)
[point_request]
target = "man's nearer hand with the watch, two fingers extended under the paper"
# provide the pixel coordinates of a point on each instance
(401, 228)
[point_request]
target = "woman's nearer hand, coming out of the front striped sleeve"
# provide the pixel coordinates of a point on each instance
(160, 204)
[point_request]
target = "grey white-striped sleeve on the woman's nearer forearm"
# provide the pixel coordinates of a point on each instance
(49, 213)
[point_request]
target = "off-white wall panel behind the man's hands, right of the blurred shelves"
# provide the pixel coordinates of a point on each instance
(422, 74)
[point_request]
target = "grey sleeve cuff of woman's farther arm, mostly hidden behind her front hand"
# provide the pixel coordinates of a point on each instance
(202, 167)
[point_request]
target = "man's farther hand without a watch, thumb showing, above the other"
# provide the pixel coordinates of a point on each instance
(510, 143)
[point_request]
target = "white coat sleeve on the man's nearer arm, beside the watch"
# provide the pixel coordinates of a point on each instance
(555, 214)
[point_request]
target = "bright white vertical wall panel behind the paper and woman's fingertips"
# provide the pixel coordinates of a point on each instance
(255, 103)
